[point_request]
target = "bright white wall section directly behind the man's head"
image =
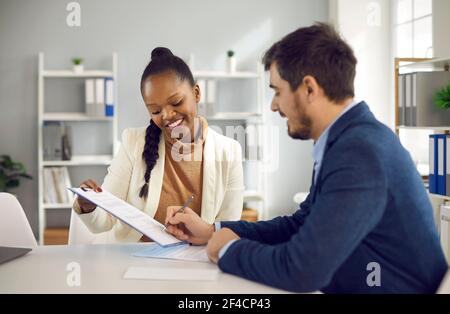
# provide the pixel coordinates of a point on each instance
(365, 24)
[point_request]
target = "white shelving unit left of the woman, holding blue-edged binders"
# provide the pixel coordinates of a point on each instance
(77, 118)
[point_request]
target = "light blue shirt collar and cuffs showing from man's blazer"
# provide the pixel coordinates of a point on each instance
(318, 151)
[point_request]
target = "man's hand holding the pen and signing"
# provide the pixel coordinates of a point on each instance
(188, 226)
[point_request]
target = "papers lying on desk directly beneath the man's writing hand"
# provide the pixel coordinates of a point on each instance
(183, 252)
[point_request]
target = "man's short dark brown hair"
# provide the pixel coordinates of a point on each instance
(318, 51)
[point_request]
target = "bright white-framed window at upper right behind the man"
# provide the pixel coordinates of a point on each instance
(413, 26)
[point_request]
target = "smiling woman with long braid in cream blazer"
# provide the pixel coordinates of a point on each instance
(175, 157)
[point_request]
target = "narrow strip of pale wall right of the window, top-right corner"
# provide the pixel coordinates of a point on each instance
(441, 28)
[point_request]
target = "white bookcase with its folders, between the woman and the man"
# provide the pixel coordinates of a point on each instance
(249, 119)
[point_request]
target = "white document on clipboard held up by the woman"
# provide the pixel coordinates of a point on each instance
(129, 215)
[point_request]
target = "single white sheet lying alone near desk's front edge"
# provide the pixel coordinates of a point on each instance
(171, 273)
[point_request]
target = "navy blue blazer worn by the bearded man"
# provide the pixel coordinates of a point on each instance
(367, 225)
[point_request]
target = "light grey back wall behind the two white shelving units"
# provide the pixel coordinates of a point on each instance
(133, 28)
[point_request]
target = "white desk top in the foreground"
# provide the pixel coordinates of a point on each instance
(44, 270)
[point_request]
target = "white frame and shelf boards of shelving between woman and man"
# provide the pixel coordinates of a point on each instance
(248, 118)
